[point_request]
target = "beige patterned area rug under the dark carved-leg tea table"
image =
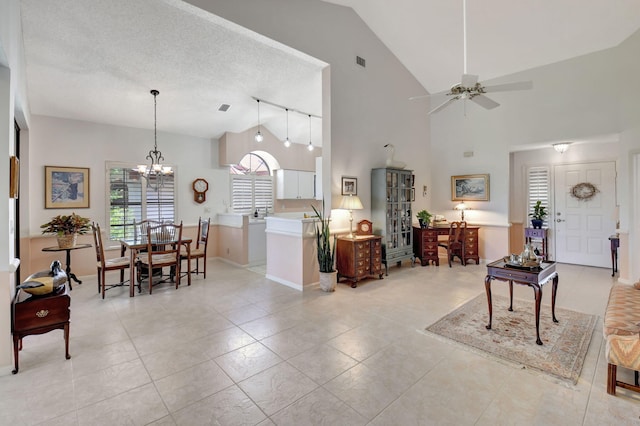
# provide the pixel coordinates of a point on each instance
(513, 334)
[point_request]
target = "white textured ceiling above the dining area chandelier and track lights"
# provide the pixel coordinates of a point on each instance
(97, 60)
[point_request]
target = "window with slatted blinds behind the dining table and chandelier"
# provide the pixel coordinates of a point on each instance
(130, 199)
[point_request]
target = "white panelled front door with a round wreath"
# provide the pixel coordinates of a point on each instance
(583, 226)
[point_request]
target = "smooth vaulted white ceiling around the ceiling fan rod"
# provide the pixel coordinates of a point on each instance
(503, 36)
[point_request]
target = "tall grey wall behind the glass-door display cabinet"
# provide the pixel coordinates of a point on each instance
(369, 106)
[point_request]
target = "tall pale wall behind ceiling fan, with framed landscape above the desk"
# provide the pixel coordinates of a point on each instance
(576, 99)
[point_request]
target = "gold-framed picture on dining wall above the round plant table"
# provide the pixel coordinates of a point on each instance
(66, 187)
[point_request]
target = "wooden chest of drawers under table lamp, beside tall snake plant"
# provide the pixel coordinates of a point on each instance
(359, 257)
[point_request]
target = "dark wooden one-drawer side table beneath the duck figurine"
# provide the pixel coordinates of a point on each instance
(39, 315)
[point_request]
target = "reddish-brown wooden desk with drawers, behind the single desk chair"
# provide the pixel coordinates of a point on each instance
(425, 243)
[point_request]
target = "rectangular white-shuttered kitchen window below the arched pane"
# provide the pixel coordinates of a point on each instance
(251, 192)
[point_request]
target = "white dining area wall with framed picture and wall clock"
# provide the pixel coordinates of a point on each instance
(61, 142)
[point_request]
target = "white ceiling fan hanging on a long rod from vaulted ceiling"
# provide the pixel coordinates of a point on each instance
(469, 87)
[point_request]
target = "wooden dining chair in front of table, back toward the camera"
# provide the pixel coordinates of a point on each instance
(163, 250)
